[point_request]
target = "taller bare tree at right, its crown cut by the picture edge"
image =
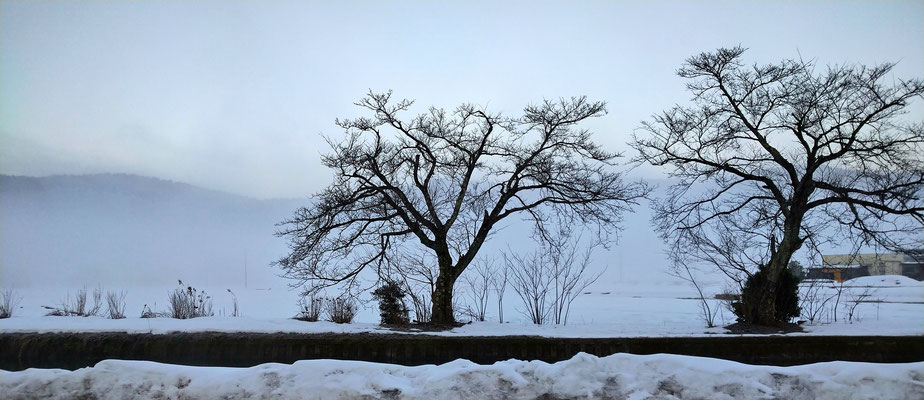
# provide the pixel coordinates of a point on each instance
(773, 157)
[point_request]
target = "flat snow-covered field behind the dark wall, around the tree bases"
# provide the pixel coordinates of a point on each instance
(894, 306)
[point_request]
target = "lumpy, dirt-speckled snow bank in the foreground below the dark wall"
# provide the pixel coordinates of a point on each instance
(584, 376)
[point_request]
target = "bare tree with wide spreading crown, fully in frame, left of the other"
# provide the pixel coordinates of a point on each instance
(443, 181)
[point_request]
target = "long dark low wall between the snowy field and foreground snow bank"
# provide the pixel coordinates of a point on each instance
(76, 350)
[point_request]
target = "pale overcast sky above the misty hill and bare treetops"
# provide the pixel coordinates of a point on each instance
(235, 95)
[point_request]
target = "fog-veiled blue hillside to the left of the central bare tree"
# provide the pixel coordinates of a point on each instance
(134, 230)
